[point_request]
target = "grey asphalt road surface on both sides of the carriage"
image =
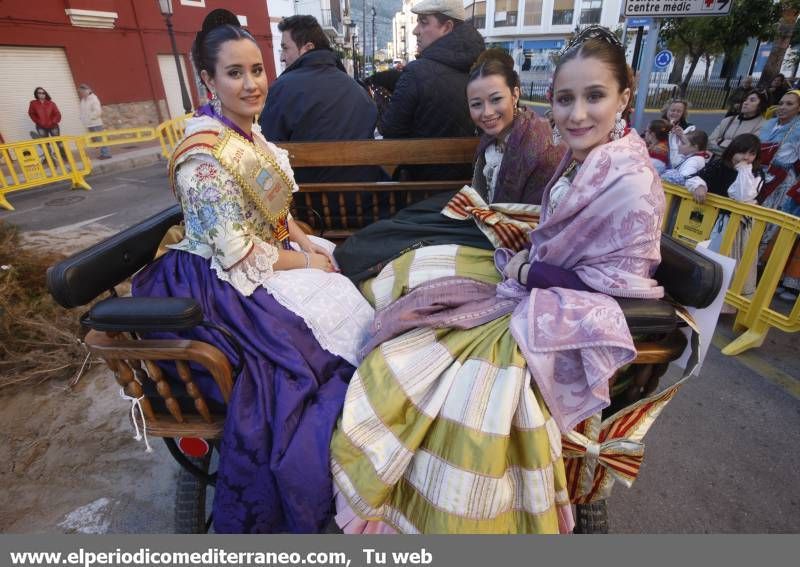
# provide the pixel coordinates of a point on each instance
(722, 458)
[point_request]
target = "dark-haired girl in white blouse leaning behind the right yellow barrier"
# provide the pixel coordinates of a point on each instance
(737, 175)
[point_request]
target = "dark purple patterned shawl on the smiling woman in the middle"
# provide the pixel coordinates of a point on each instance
(529, 161)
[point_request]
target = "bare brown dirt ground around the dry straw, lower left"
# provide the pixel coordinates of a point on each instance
(68, 460)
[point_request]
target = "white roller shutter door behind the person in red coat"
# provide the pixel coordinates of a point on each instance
(25, 68)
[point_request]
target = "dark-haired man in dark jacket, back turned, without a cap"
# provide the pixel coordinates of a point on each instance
(315, 99)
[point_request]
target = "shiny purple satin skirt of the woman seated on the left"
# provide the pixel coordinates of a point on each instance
(273, 471)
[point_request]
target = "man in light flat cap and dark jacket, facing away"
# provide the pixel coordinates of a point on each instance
(429, 100)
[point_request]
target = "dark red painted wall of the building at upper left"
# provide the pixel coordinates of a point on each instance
(121, 63)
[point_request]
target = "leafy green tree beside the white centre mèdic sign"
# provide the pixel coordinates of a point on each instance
(708, 36)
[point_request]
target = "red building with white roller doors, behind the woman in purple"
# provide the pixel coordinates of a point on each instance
(119, 47)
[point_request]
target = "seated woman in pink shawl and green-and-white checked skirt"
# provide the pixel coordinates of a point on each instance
(453, 421)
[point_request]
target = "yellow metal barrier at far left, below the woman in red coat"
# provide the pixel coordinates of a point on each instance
(42, 161)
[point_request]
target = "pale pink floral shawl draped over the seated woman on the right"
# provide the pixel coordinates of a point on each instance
(607, 229)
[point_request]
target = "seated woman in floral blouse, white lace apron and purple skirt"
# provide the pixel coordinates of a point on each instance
(254, 272)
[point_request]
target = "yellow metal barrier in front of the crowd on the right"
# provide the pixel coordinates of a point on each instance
(755, 315)
